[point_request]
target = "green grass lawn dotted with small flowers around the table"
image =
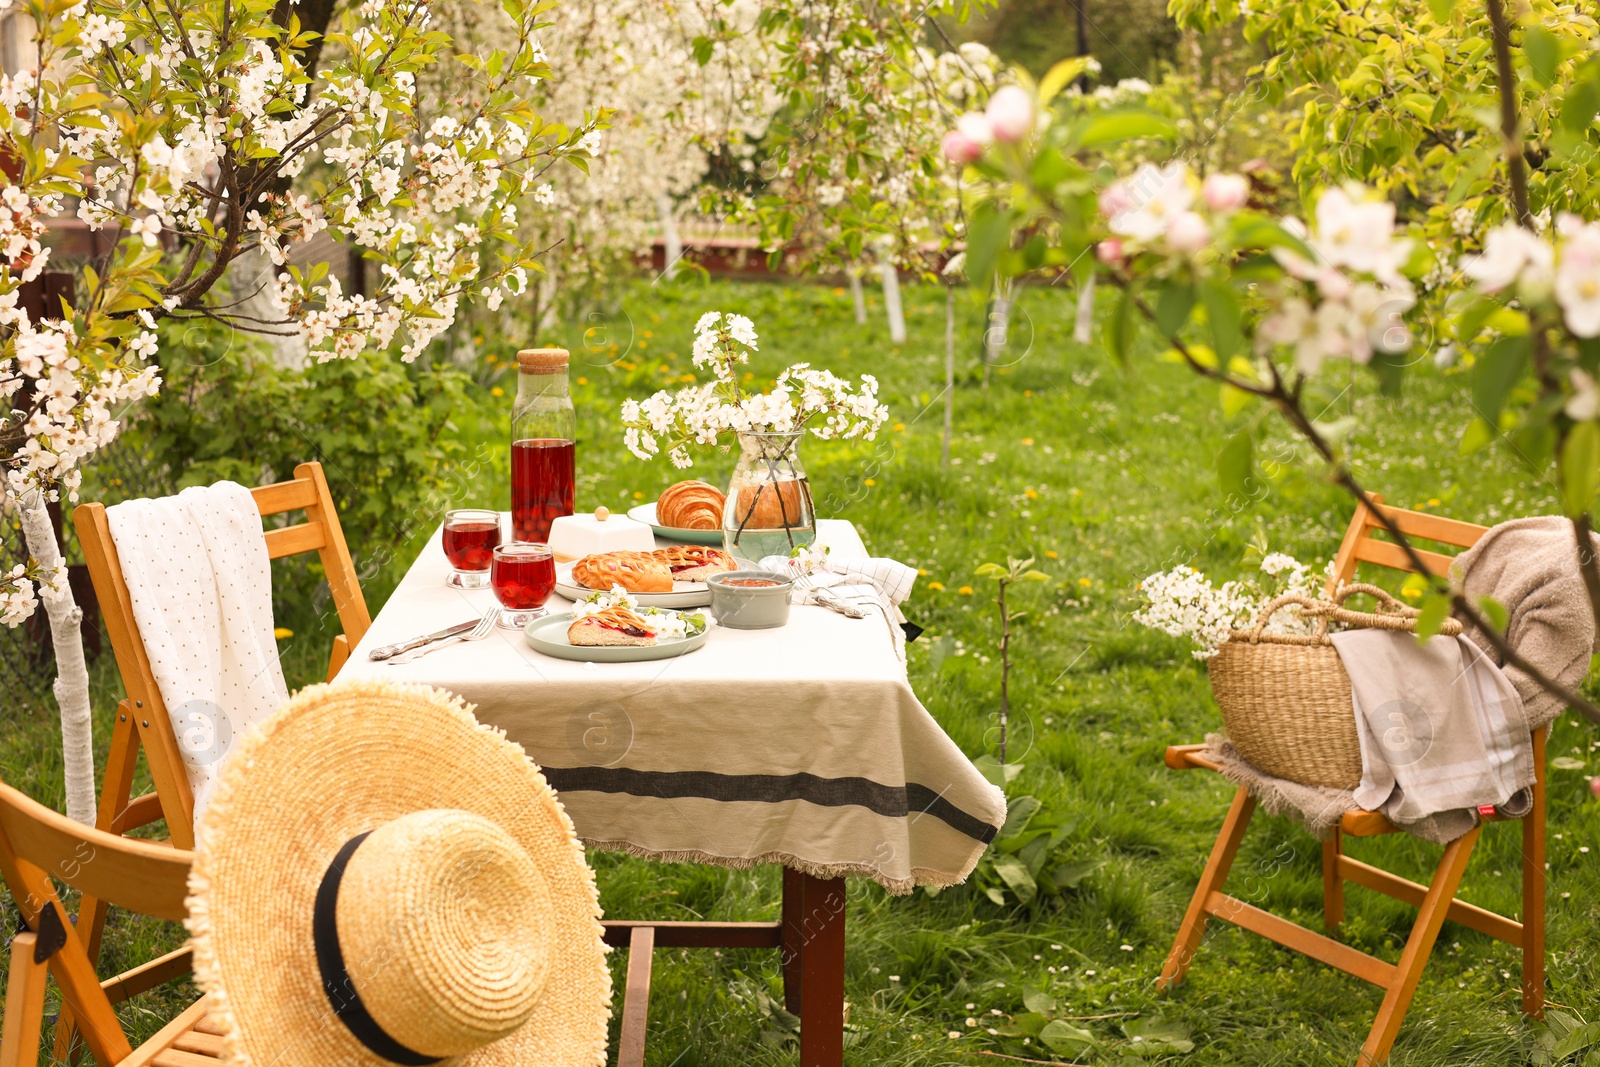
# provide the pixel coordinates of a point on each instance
(1103, 476)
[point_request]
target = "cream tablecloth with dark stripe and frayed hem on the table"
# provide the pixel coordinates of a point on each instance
(802, 746)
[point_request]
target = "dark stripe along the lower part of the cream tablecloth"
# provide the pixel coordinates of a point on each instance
(828, 793)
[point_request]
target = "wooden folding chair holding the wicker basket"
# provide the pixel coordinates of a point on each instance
(1436, 901)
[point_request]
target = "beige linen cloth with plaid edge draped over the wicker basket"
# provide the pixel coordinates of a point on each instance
(1442, 730)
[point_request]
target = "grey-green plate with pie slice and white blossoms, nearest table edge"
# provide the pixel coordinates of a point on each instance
(617, 628)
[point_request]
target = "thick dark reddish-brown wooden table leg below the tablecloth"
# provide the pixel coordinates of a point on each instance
(814, 959)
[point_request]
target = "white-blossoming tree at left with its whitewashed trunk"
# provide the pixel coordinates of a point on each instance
(194, 134)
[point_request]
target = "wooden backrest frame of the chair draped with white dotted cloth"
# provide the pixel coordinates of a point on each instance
(321, 533)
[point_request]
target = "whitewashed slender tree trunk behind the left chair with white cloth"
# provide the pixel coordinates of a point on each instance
(73, 674)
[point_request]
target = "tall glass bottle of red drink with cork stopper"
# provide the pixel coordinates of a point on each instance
(543, 430)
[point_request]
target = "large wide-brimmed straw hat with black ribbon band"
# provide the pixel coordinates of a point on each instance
(382, 881)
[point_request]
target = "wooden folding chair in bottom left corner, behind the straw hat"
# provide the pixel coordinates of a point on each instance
(38, 845)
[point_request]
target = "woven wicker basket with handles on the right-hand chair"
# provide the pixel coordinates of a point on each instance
(1286, 698)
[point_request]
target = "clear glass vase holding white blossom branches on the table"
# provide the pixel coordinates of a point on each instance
(769, 510)
